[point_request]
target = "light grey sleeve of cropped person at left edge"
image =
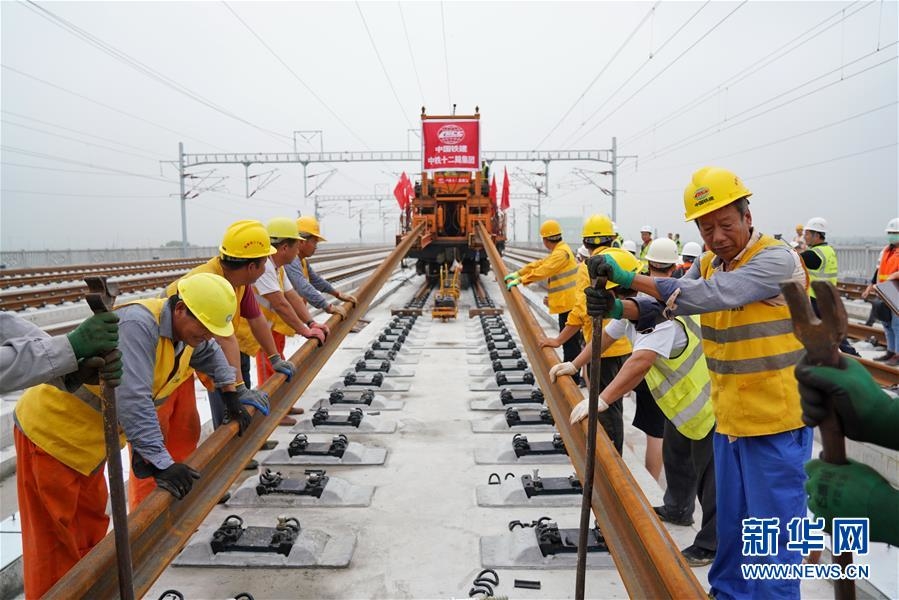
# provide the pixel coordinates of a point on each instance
(28, 356)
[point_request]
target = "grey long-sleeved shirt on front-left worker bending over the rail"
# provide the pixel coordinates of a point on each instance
(139, 335)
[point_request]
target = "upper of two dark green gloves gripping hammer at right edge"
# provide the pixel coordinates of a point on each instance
(863, 408)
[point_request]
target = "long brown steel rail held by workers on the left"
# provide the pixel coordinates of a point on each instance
(161, 526)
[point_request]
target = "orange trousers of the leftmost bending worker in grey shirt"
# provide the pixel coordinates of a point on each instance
(63, 514)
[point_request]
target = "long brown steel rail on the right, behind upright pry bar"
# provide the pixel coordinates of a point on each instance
(649, 562)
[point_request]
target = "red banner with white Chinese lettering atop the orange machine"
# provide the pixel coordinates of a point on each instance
(450, 145)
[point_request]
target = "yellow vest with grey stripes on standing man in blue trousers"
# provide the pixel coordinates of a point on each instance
(751, 353)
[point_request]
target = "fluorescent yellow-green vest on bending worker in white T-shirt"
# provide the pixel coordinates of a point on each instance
(681, 385)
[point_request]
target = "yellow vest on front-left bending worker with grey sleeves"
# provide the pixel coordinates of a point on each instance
(69, 427)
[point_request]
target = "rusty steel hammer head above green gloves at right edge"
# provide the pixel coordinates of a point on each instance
(821, 337)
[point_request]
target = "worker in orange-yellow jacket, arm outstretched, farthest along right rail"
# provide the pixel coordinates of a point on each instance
(559, 269)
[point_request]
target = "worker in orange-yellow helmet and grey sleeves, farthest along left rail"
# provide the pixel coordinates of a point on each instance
(309, 284)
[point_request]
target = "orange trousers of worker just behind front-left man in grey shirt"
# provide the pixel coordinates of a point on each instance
(180, 424)
